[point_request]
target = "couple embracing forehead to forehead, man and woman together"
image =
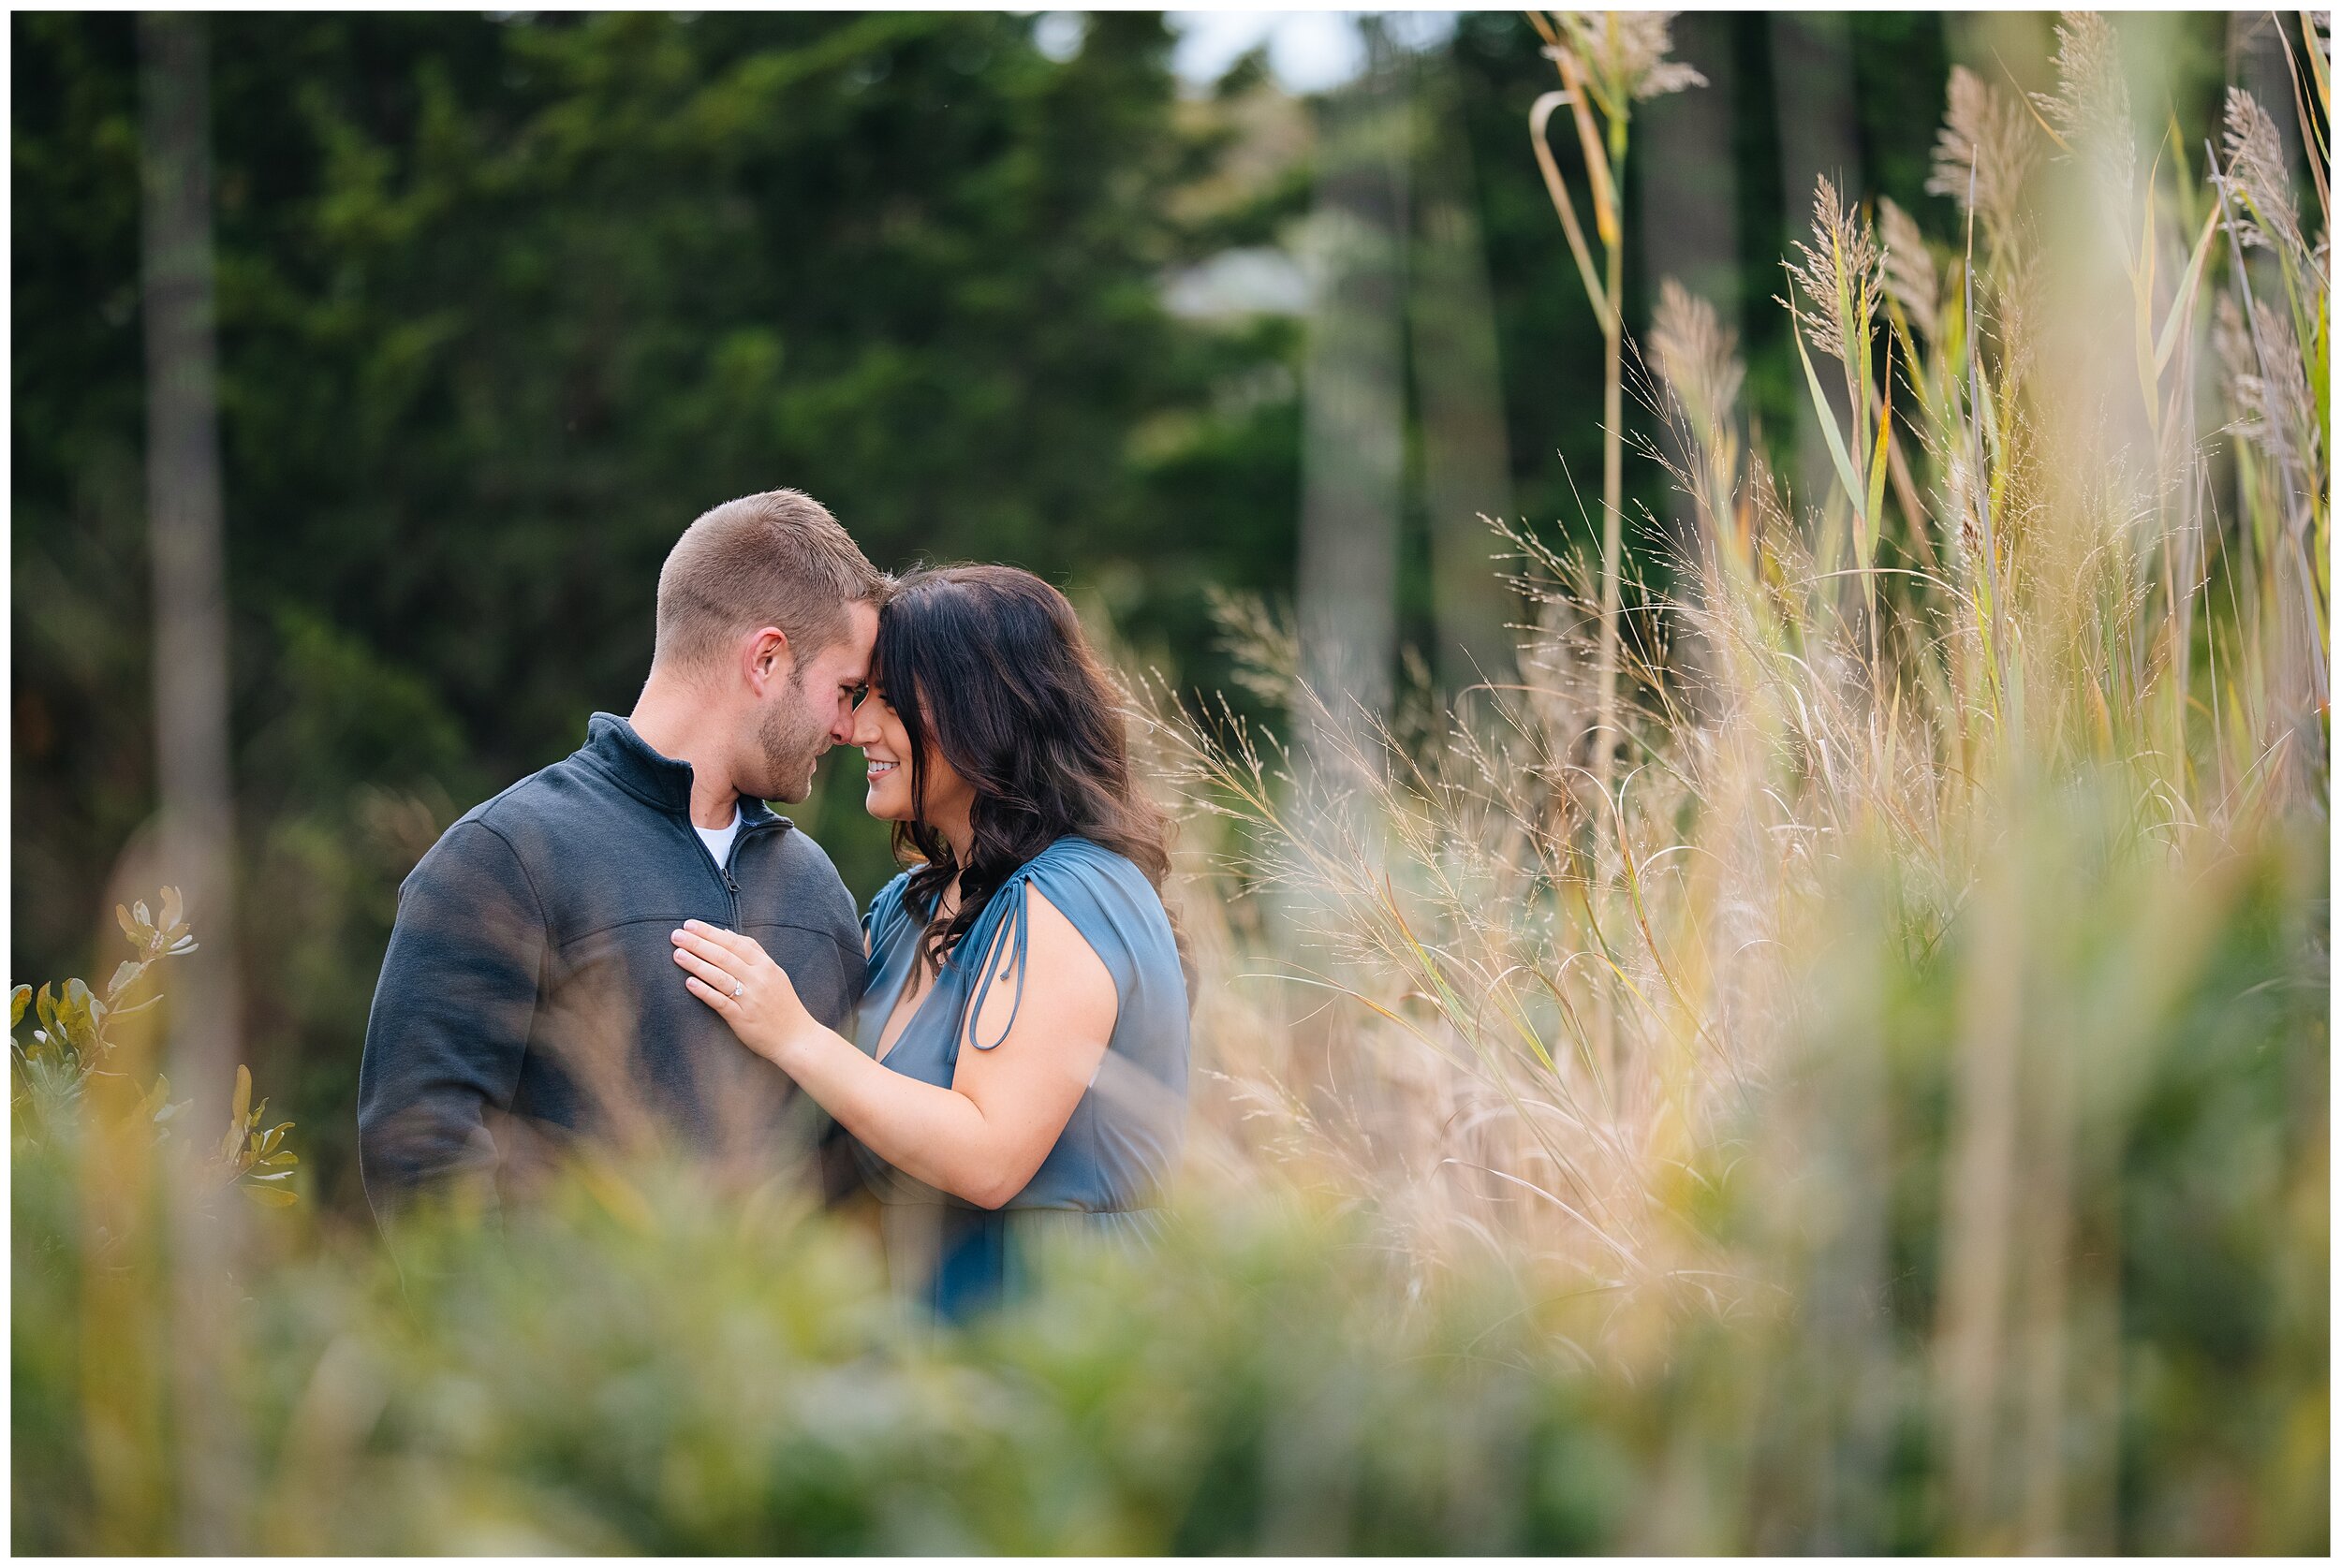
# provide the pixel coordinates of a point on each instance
(633, 944)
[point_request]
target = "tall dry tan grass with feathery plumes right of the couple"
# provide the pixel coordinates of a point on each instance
(1951, 802)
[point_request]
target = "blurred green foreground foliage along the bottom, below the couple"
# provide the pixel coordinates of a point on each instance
(652, 1366)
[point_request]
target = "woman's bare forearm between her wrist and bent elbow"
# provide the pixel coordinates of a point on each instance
(933, 1134)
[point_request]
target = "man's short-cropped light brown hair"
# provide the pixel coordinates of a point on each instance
(771, 561)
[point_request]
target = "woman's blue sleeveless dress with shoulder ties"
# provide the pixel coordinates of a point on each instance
(1118, 1150)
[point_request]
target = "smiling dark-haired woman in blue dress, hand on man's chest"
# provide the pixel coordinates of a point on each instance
(1020, 1061)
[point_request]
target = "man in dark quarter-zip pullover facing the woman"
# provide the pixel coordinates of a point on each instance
(530, 991)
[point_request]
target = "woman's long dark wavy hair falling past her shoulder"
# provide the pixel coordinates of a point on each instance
(989, 666)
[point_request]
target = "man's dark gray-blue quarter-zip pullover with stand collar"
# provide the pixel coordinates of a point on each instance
(530, 989)
